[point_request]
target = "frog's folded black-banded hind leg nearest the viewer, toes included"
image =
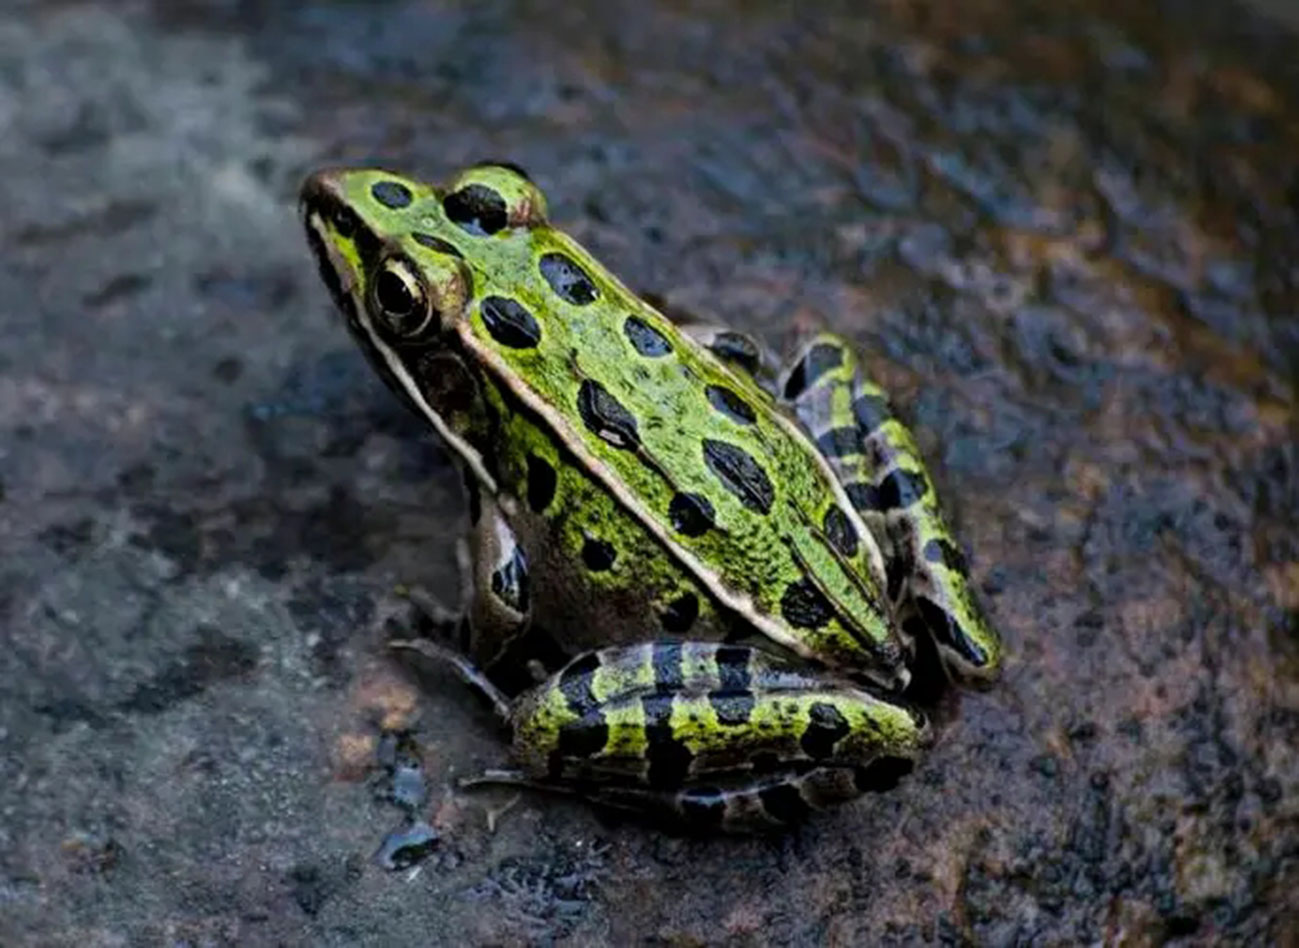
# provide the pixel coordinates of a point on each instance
(706, 734)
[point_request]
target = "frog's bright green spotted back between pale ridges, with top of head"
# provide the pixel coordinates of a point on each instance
(733, 492)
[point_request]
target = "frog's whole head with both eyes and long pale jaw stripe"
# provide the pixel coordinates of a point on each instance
(401, 259)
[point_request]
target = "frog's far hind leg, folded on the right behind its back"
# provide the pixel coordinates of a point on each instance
(879, 462)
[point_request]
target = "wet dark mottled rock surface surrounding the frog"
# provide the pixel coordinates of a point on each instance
(1066, 237)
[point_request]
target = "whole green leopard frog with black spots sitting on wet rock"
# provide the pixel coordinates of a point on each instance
(740, 558)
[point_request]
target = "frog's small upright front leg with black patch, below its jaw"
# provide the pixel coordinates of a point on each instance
(501, 603)
